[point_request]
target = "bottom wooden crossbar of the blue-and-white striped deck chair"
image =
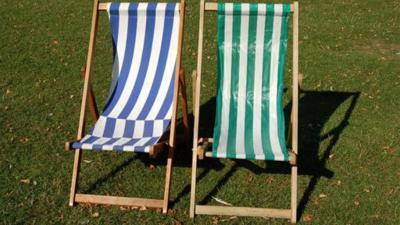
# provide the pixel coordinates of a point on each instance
(124, 201)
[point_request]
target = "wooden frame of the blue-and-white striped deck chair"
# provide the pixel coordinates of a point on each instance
(88, 96)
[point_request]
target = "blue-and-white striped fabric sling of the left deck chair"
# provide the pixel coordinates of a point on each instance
(139, 106)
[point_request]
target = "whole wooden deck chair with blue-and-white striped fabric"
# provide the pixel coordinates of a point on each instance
(142, 104)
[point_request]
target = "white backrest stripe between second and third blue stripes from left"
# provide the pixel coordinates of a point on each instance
(133, 73)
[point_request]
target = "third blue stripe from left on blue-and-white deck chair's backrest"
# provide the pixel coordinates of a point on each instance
(144, 64)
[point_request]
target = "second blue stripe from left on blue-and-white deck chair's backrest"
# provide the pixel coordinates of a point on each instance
(126, 65)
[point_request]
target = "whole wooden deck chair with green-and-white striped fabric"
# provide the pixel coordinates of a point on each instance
(249, 124)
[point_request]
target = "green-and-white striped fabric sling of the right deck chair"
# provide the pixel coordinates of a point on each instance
(252, 43)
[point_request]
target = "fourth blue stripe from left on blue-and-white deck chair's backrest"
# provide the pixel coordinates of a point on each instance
(162, 61)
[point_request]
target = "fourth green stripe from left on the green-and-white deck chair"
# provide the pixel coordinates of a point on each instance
(269, 22)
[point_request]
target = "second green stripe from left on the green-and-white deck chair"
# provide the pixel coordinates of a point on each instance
(231, 146)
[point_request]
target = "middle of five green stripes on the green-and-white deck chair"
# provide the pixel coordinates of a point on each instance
(249, 148)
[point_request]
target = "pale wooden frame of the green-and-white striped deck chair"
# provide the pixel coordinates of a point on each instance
(200, 144)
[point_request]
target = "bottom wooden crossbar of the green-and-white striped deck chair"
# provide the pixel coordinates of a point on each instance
(242, 211)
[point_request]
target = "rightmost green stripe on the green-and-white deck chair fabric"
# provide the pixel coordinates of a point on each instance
(281, 71)
